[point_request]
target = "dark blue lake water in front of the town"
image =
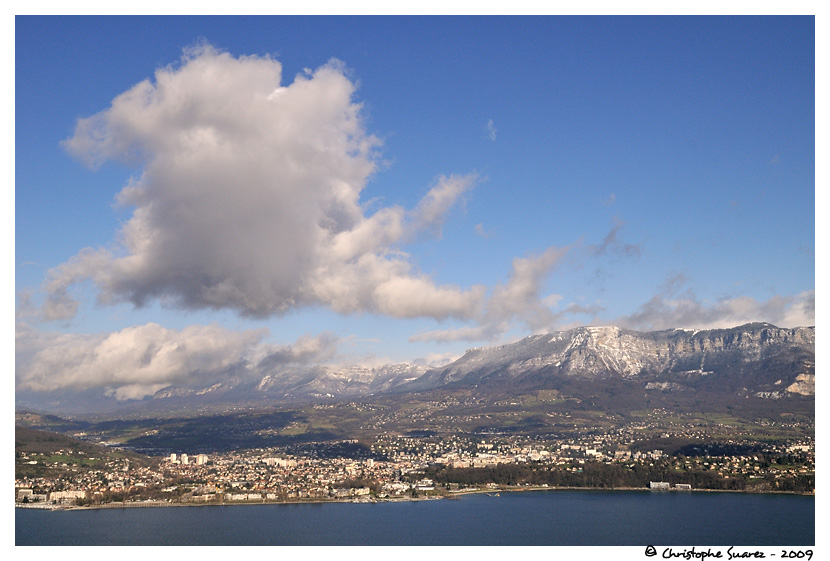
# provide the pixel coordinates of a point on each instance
(558, 518)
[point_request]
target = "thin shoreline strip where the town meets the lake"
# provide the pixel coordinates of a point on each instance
(374, 500)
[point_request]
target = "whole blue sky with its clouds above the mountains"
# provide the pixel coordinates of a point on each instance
(450, 182)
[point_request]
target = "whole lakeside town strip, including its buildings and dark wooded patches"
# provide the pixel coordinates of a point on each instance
(410, 468)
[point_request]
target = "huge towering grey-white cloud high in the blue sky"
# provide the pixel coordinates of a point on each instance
(248, 199)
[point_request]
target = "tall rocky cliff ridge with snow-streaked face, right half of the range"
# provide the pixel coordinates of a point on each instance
(755, 357)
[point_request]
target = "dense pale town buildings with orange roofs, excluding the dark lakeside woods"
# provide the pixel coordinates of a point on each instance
(394, 470)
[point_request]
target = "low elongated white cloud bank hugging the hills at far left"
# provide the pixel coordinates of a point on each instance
(138, 361)
